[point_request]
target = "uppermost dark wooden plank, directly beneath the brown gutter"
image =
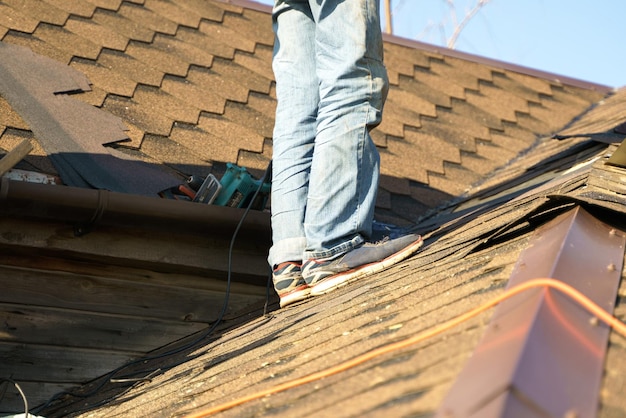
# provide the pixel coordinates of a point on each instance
(157, 250)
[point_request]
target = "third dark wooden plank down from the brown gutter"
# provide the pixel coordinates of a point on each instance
(65, 328)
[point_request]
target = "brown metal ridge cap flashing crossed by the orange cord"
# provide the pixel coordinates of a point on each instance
(543, 355)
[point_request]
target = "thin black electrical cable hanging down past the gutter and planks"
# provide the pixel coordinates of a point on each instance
(110, 377)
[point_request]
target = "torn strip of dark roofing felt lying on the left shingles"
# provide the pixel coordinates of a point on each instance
(76, 135)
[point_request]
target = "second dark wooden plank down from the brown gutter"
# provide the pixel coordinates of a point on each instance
(115, 296)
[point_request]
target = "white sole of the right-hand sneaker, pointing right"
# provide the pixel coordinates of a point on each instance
(333, 282)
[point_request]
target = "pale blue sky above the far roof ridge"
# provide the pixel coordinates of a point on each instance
(582, 39)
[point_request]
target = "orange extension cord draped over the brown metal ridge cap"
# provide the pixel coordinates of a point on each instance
(578, 297)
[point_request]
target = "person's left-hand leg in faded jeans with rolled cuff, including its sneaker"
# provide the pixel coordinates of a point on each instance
(293, 141)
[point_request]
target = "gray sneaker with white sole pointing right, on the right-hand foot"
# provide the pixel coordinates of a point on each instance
(322, 276)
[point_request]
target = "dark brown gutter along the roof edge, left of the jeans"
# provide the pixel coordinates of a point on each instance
(90, 207)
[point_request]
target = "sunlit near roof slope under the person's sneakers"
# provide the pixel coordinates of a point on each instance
(468, 259)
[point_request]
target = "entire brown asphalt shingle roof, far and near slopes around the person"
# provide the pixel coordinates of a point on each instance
(467, 160)
